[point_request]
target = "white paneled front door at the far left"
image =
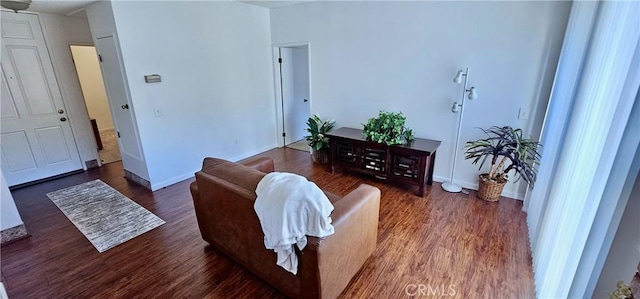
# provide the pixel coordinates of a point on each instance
(36, 138)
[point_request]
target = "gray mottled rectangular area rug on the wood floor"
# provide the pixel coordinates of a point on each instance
(105, 216)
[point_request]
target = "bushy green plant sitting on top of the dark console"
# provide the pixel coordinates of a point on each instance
(388, 128)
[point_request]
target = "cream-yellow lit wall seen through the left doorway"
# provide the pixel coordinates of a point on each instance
(92, 85)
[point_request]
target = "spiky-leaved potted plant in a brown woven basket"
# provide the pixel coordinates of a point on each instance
(508, 151)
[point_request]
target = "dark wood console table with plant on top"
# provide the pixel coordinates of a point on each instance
(410, 164)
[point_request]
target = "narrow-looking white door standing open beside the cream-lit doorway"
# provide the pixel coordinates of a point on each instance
(121, 108)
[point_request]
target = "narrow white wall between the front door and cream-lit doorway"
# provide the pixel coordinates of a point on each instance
(59, 33)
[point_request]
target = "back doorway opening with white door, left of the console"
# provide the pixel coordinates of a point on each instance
(293, 94)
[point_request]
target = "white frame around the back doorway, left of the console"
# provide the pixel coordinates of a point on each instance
(277, 90)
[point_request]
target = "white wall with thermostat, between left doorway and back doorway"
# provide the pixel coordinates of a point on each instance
(216, 94)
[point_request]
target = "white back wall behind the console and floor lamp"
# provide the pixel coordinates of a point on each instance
(402, 56)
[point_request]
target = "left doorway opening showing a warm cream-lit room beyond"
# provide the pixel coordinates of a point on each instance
(95, 97)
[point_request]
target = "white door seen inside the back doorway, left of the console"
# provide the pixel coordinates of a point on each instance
(295, 92)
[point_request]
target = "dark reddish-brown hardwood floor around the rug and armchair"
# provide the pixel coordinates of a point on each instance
(451, 244)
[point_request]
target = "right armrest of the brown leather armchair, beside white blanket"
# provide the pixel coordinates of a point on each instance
(340, 256)
